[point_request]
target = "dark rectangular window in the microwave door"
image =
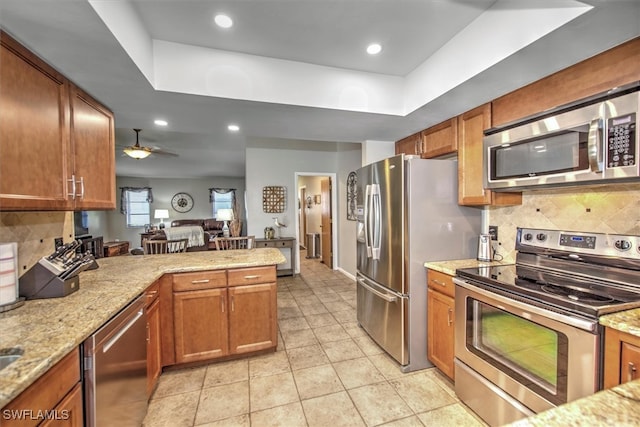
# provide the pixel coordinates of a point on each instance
(560, 152)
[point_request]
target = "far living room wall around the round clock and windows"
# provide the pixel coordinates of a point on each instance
(113, 223)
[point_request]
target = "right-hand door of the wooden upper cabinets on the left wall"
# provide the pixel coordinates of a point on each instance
(93, 142)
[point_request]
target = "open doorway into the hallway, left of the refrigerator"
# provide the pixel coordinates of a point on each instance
(316, 210)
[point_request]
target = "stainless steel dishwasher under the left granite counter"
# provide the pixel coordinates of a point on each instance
(115, 370)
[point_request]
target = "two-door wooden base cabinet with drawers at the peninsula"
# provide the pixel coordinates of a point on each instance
(229, 313)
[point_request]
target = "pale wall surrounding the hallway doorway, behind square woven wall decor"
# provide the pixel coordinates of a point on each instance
(275, 165)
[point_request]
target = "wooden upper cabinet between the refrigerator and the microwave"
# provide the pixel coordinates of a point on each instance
(471, 191)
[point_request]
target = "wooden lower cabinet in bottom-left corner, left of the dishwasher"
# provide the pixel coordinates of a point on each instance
(55, 398)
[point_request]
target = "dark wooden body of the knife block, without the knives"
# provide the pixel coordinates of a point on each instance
(39, 283)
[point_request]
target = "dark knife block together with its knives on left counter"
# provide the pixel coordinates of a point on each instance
(56, 275)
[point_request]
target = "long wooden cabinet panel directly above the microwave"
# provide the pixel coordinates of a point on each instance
(614, 67)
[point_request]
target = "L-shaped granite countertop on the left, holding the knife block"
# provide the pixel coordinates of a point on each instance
(48, 329)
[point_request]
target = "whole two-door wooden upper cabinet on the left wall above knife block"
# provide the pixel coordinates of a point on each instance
(57, 144)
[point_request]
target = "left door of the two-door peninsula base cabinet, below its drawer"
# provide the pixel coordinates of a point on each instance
(200, 324)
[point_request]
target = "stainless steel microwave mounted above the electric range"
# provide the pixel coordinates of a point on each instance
(589, 142)
